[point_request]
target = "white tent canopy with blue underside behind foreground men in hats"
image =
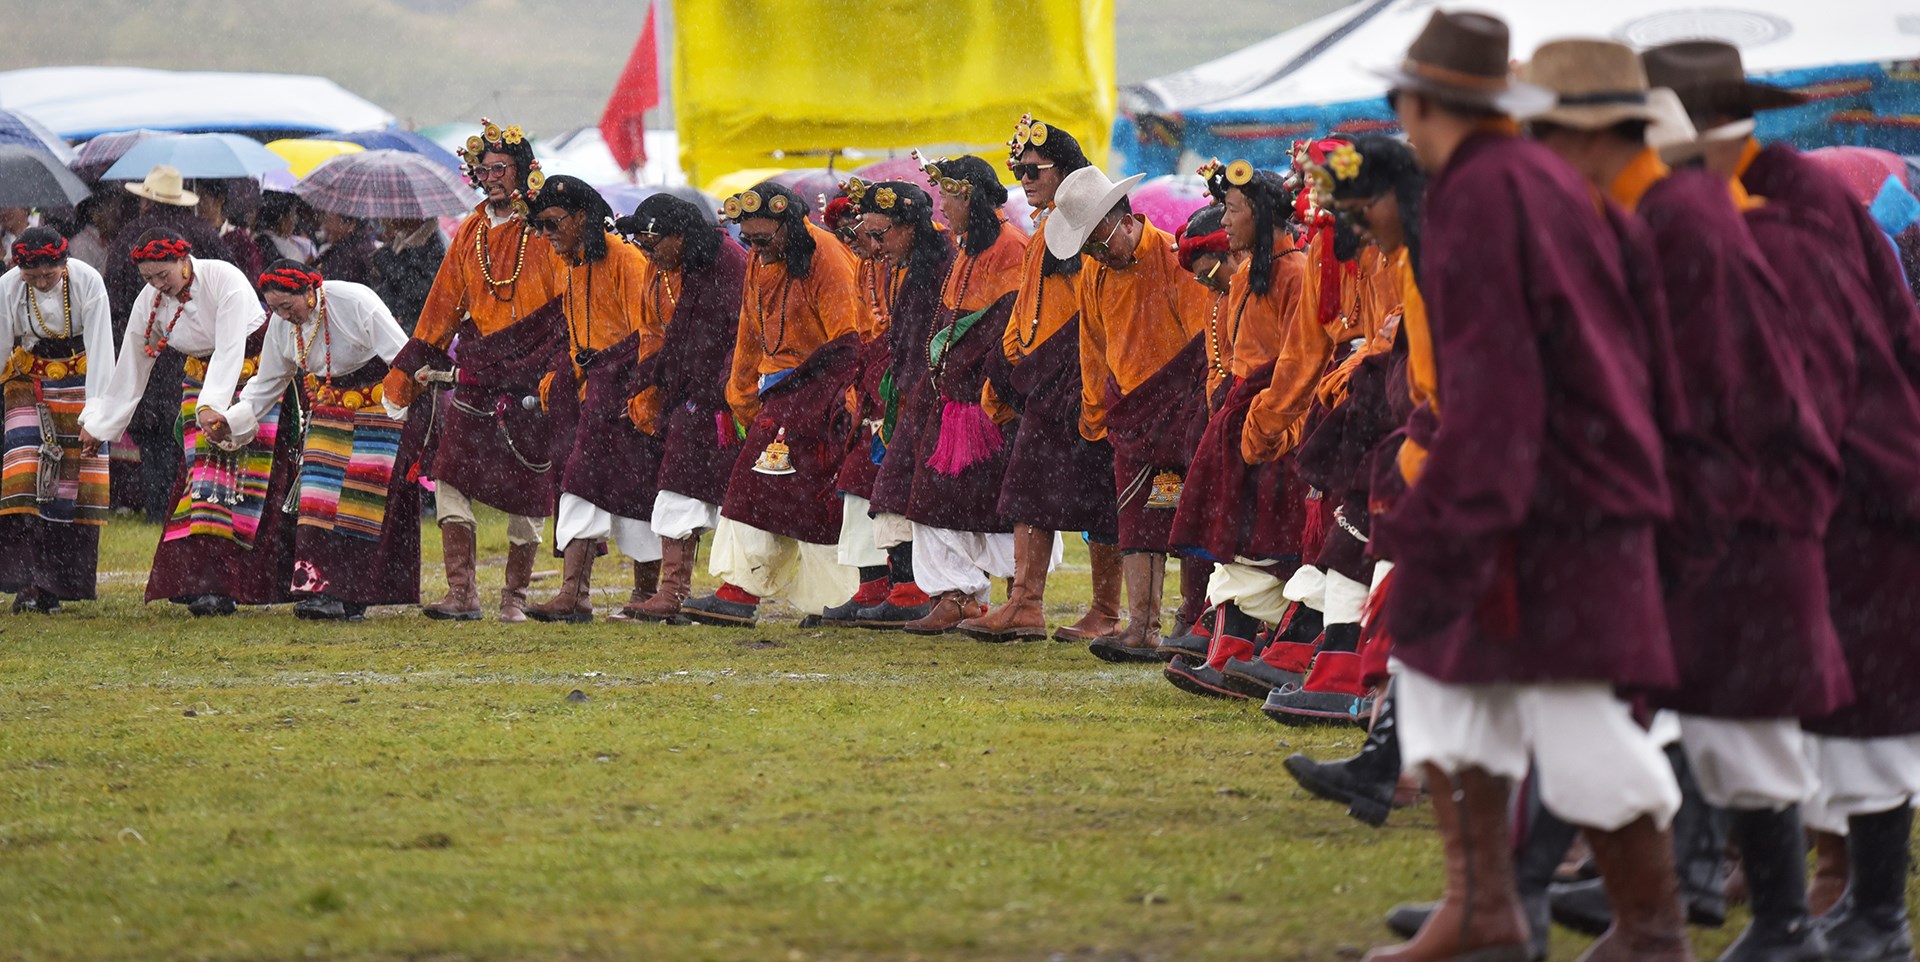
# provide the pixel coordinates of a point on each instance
(1293, 80)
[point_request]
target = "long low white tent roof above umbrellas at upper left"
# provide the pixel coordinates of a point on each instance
(80, 103)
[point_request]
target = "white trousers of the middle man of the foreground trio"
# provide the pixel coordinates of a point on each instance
(1748, 763)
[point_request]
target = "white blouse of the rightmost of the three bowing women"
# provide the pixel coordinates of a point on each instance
(356, 329)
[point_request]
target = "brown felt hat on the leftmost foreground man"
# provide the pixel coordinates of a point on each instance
(1462, 59)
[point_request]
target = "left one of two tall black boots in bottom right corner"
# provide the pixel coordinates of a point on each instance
(1773, 848)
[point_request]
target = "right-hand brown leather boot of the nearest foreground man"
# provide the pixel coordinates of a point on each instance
(1637, 865)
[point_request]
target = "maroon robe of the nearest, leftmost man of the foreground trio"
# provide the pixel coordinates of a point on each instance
(1525, 548)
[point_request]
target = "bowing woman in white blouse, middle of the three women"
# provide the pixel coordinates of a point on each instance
(229, 541)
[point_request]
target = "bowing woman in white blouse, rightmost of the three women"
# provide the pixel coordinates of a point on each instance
(358, 539)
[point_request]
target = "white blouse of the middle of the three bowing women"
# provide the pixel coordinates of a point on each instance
(222, 312)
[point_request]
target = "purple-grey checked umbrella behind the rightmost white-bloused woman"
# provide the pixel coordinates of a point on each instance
(387, 183)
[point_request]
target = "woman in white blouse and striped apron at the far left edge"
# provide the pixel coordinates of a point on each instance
(57, 343)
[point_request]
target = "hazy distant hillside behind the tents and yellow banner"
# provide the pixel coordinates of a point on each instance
(542, 64)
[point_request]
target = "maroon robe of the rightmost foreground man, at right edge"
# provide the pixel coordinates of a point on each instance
(1856, 333)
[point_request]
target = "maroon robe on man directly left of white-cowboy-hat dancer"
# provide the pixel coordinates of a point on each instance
(1055, 479)
